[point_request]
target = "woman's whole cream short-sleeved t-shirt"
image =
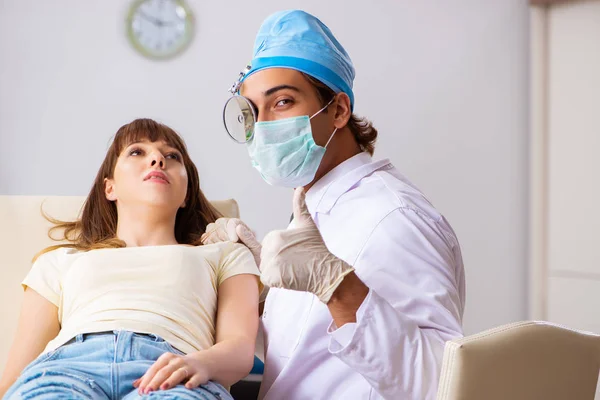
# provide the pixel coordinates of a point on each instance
(169, 291)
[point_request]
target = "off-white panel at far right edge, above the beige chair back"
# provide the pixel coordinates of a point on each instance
(573, 187)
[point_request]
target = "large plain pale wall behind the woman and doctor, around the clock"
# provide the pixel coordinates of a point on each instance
(445, 83)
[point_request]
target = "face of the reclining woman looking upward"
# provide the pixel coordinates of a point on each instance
(148, 174)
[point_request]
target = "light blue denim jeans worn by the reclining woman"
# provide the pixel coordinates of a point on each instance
(102, 366)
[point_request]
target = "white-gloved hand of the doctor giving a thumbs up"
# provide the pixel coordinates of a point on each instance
(298, 259)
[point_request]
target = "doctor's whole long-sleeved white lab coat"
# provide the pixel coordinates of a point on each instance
(408, 255)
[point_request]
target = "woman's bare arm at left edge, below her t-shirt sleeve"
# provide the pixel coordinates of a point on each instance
(38, 324)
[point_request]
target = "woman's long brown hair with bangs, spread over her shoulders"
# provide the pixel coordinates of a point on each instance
(96, 226)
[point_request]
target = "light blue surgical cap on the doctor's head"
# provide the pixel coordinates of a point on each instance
(298, 40)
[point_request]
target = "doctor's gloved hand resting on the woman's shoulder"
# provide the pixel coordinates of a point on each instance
(234, 230)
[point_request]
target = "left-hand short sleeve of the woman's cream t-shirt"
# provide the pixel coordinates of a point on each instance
(45, 277)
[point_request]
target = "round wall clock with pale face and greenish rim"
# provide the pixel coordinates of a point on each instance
(160, 29)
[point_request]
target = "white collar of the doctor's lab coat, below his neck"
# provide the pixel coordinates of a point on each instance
(323, 195)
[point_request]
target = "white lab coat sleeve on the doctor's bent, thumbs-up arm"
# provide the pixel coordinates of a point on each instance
(413, 268)
